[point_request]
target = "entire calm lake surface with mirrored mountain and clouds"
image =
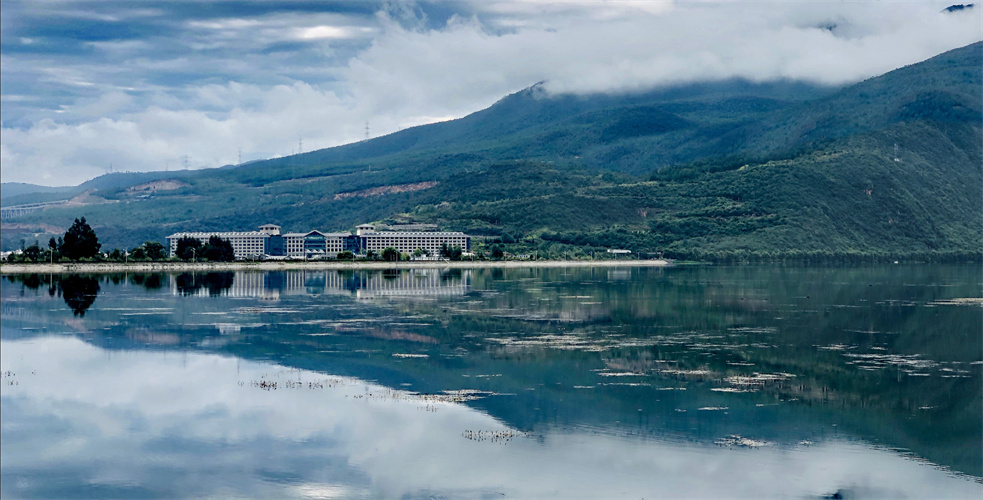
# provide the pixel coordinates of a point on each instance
(706, 382)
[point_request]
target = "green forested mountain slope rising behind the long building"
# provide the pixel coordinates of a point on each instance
(889, 168)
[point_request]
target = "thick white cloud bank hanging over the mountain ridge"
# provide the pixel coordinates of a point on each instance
(409, 75)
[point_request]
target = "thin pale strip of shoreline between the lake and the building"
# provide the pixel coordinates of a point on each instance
(169, 267)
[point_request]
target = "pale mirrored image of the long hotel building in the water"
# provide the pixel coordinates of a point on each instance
(392, 283)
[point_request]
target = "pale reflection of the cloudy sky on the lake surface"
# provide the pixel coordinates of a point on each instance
(77, 418)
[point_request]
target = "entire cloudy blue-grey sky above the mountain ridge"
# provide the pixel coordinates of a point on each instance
(92, 86)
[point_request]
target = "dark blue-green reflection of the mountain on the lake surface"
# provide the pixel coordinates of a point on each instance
(888, 355)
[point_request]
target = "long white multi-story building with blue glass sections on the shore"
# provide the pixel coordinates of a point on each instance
(268, 242)
